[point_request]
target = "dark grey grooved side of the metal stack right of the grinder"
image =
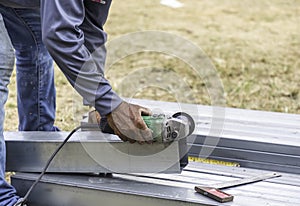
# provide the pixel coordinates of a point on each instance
(250, 154)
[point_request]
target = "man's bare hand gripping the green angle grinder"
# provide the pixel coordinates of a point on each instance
(127, 122)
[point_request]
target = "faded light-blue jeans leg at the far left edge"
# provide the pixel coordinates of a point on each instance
(7, 193)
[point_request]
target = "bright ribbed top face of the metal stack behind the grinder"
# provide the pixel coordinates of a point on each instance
(258, 126)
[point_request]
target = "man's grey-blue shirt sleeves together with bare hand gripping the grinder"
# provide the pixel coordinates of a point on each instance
(73, 34)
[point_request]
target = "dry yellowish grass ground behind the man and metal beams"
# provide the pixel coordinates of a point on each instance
(254, 46)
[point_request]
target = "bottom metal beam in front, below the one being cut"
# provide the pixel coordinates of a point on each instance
(65, 190)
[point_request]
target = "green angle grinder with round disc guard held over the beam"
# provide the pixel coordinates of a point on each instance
(167, 129)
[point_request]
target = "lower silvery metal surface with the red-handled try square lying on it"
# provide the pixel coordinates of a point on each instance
(159, 189)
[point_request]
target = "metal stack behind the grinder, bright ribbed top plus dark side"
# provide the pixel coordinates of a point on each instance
(254, 139)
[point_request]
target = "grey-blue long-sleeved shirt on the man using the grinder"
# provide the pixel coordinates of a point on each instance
(73, 34)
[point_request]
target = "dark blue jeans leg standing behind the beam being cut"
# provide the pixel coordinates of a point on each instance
(35, 72)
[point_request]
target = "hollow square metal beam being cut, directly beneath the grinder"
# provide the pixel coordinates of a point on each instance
(90, 152)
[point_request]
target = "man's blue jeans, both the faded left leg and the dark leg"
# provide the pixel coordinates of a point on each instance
(35, 81)
